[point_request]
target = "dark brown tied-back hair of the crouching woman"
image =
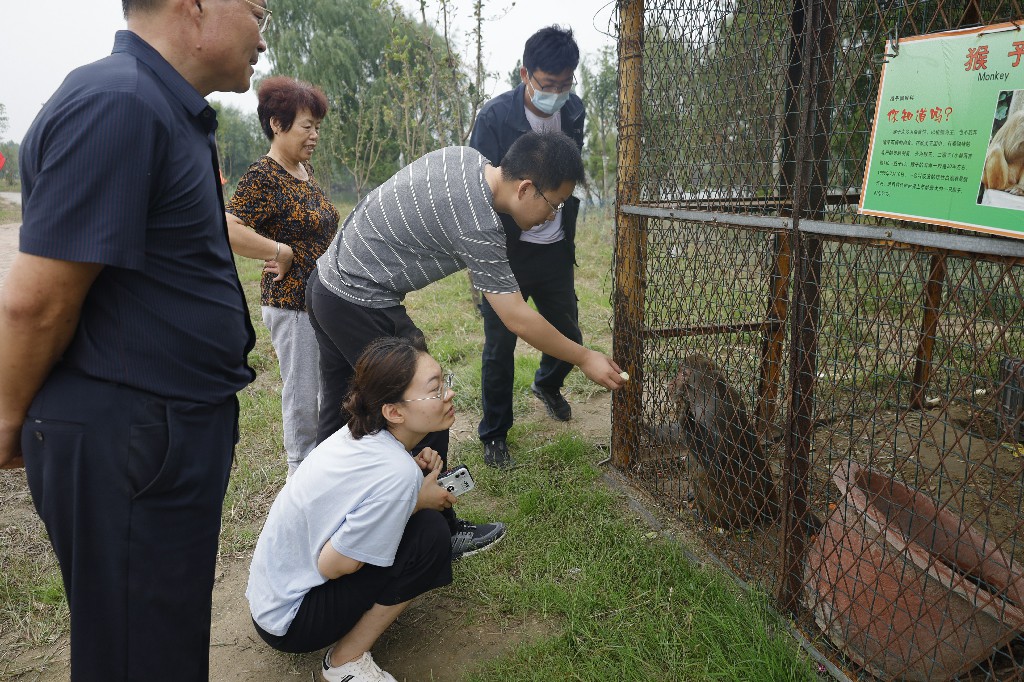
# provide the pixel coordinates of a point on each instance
(385, 371)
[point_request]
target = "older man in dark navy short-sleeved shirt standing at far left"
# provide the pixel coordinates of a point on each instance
(124, 334)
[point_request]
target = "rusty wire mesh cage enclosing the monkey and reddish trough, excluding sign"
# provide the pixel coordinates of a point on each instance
(832, 401)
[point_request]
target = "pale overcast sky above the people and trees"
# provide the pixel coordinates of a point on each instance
(40, 42)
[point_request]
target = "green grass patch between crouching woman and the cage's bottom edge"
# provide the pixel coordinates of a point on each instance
(632, 608)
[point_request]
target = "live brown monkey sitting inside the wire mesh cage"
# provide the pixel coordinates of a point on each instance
(734, 488)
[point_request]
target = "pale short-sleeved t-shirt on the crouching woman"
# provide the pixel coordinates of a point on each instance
(358, 494)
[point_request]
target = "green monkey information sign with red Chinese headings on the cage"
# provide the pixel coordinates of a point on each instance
(948, 146)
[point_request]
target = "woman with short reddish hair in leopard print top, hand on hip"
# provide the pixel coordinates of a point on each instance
(280, 215)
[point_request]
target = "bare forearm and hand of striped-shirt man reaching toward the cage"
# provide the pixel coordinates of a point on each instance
(538, 332)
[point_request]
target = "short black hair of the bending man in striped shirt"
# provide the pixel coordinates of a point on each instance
(549, 159)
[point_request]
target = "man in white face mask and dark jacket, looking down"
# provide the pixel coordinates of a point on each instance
(543, 259)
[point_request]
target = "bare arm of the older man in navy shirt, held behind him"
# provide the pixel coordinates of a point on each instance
(40, 306)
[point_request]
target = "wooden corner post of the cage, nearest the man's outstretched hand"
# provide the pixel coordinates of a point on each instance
(630, 236)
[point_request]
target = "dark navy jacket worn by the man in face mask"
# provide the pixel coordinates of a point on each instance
(499, 124)
